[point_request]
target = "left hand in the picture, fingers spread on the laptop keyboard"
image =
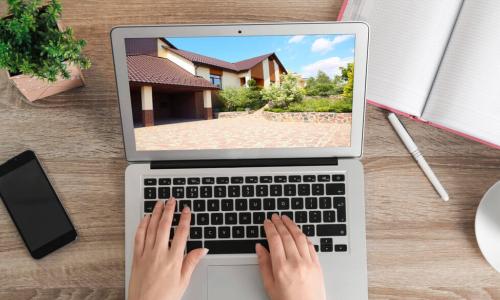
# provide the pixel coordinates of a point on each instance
(160, 272)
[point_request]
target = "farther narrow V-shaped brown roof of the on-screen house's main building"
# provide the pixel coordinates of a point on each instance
(236, 67)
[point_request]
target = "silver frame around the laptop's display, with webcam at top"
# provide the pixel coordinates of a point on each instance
(359, 29)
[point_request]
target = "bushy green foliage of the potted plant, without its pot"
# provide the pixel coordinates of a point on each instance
(32, 44)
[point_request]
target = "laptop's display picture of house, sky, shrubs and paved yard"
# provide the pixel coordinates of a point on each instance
(241, 92)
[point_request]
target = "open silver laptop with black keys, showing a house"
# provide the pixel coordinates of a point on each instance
(239, 122)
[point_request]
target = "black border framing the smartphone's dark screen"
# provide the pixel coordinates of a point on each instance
(51, 245)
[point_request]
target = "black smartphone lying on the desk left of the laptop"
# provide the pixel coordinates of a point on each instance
(34, 205)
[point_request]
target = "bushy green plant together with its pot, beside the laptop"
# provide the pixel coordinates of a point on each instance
(42, 57)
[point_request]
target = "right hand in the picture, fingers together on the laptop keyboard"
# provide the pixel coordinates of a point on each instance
(291, 270)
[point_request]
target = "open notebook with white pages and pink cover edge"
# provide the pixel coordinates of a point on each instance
(433, 62)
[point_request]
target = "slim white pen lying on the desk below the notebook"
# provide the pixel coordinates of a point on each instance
(413, 149)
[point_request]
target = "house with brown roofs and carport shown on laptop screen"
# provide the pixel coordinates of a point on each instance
(167, 83)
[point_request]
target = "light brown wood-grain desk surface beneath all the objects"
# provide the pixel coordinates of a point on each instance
(418, 246)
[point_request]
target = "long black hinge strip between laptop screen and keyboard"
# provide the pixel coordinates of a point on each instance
(239, 163)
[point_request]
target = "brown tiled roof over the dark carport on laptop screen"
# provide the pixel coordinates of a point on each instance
(157, 70)
